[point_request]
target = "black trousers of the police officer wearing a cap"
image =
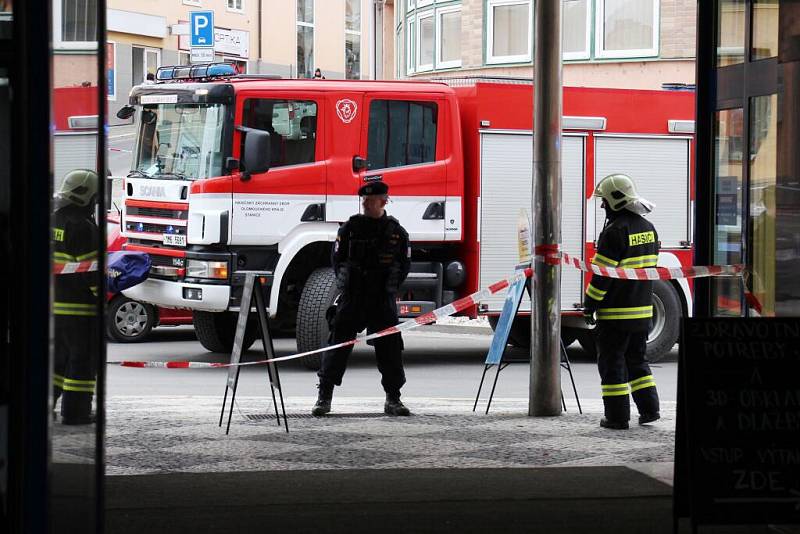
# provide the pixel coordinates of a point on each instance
(373, 312)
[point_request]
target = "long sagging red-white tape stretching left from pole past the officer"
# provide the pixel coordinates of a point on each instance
(457, 306)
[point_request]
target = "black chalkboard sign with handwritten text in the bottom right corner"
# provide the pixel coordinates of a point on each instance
(742, 408)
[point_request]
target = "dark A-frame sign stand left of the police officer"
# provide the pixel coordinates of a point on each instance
(253, 291)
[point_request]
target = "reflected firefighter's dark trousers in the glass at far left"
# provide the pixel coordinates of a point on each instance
(75, 363)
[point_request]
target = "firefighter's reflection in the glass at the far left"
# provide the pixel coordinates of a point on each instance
(75, 239)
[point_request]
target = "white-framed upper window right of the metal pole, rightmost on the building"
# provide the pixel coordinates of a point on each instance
(626, 28)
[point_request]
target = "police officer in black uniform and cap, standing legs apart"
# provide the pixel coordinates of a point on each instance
(371, 258)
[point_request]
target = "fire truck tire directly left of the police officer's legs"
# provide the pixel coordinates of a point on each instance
(318, 294)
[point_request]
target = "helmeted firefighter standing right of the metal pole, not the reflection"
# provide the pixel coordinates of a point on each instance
(624, 308)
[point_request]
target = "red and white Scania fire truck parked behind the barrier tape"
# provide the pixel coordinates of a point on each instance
(240, 173)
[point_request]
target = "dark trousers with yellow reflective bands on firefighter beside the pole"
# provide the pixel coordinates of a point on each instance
(624, 371)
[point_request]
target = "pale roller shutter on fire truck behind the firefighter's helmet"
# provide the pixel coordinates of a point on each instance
(660, 168)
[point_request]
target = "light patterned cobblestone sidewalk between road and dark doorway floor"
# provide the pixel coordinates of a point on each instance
(148, 435)
